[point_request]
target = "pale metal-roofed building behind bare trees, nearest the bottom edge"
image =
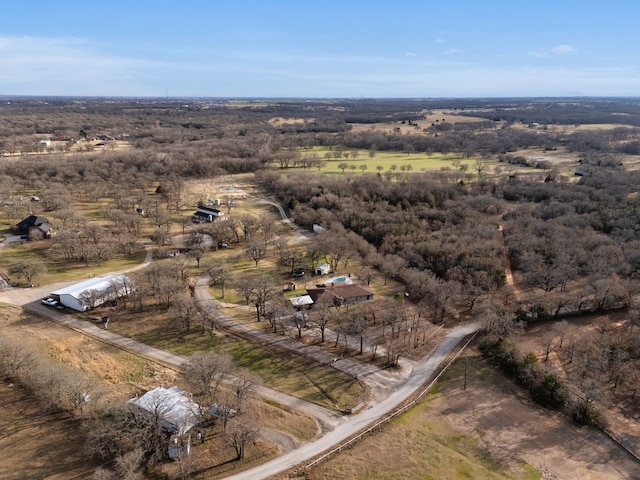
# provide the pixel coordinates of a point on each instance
(173, 408)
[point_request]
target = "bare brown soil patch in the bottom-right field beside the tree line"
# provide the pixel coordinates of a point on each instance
(509, 426)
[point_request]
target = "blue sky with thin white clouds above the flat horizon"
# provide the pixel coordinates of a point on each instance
(328, 48)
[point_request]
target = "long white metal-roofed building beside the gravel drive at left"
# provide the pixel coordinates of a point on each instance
(93, 292)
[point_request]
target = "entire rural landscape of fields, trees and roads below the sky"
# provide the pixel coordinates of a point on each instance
(297, 266)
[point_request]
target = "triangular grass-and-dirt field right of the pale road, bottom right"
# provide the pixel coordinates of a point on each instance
(491, 430)
